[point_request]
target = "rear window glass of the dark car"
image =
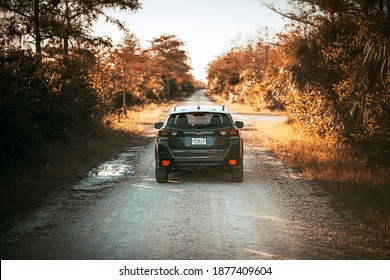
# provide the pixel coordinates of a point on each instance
(199, 120)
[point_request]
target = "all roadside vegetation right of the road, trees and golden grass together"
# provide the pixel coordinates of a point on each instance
(330, 72)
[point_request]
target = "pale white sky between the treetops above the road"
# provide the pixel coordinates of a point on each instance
(208, 27)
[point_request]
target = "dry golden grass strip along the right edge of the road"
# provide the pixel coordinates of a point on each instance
(359, 185)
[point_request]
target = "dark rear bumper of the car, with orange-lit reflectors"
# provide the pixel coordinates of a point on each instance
(199, 158)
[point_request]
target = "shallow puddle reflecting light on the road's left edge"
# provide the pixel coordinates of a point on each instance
(113, 171)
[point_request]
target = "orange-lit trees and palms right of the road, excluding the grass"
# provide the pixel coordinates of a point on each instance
(329, 70)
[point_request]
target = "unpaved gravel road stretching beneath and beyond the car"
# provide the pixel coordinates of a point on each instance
(119, 212)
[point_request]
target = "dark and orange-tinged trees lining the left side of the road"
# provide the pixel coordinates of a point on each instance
(58, 79)
